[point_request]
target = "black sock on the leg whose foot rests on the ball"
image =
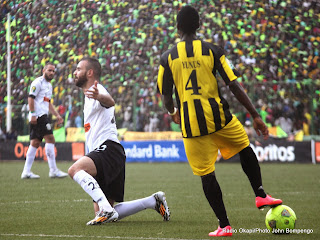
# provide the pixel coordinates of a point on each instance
(250, 166)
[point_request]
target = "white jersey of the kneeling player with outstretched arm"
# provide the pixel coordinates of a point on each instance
(99, 122)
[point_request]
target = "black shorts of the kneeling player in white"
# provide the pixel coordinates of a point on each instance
(110, 159)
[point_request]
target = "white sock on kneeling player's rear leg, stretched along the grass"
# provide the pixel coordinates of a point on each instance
(125, 209)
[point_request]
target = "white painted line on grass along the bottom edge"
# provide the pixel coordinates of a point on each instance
(84, 236)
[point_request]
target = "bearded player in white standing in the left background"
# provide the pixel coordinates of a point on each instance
(39, 105)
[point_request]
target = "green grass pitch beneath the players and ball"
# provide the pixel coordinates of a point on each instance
(48, 209)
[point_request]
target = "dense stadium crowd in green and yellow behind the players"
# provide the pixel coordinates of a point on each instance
(274, 44)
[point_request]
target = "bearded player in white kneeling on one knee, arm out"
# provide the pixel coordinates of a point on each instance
(101, 172)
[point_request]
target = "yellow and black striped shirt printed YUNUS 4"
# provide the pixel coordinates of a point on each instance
(192, 66)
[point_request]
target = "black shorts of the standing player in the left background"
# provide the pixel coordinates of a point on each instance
(41, 129)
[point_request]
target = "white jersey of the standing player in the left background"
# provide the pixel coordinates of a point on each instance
(41, 90)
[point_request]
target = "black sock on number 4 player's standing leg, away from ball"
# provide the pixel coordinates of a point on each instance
(213, 194)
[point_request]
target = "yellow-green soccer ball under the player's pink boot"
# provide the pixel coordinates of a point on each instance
(280, 218)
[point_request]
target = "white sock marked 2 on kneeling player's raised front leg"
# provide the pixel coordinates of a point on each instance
(90, 186)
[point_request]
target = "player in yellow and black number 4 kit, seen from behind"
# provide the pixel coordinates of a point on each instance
(191, 68)
